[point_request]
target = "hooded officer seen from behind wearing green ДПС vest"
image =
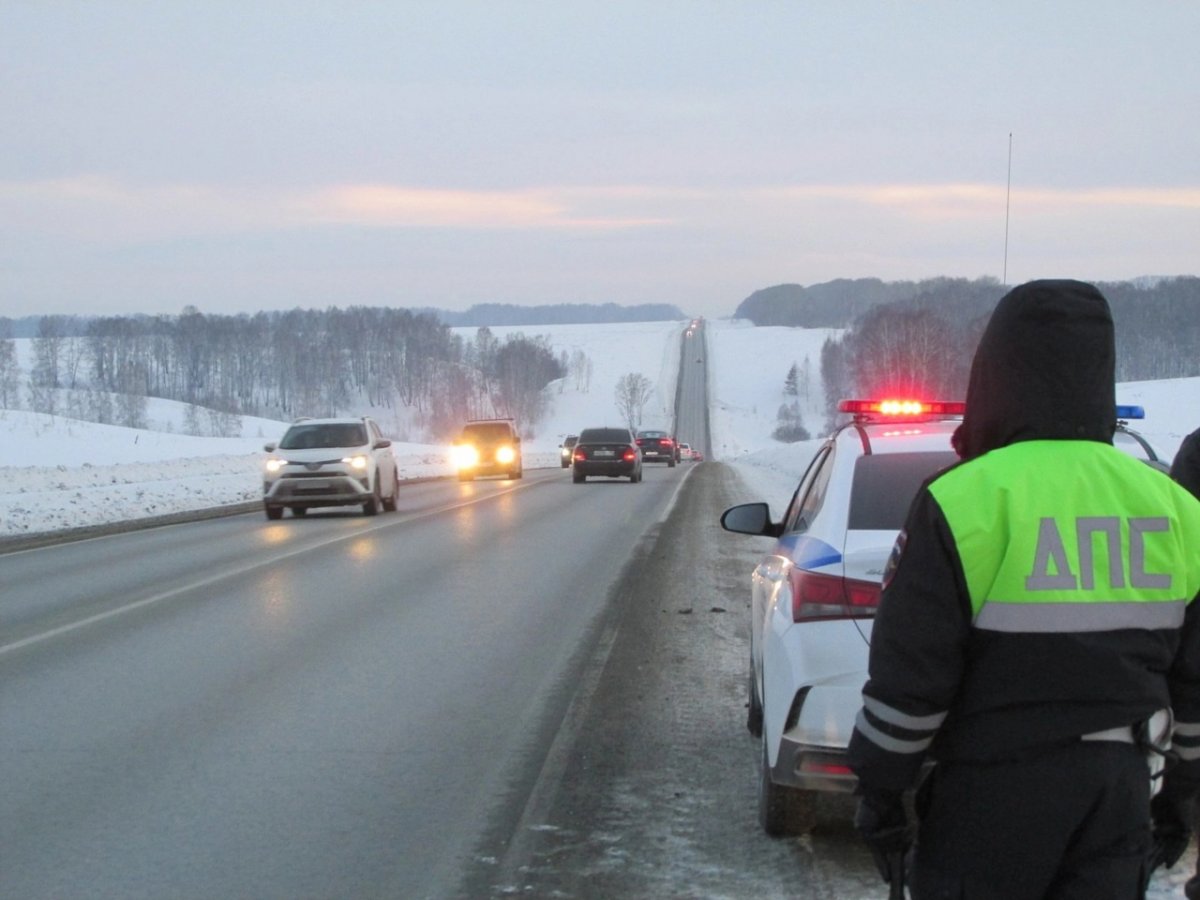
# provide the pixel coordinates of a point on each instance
(1037, 628)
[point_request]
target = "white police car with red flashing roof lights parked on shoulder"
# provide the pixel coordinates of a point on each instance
(815, 593)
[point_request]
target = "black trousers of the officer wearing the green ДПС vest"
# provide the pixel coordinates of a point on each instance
(1072, 824)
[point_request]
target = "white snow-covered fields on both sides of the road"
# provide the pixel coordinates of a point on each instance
(59, 473)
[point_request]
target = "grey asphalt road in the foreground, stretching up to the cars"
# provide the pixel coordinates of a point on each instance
(326, 707)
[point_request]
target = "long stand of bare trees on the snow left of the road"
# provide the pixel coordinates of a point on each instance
(283, 365)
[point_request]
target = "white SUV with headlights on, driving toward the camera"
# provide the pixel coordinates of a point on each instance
(331, 463)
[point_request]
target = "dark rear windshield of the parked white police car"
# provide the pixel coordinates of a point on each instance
(885, 485)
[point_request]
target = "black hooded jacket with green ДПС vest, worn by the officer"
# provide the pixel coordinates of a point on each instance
(981, 650)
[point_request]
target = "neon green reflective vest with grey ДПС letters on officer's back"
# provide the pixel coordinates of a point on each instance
(1071, 537)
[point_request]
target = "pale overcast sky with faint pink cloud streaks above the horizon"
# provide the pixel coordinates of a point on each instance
(245, 157)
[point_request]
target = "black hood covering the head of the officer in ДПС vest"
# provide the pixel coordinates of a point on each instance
(1045, 370)
